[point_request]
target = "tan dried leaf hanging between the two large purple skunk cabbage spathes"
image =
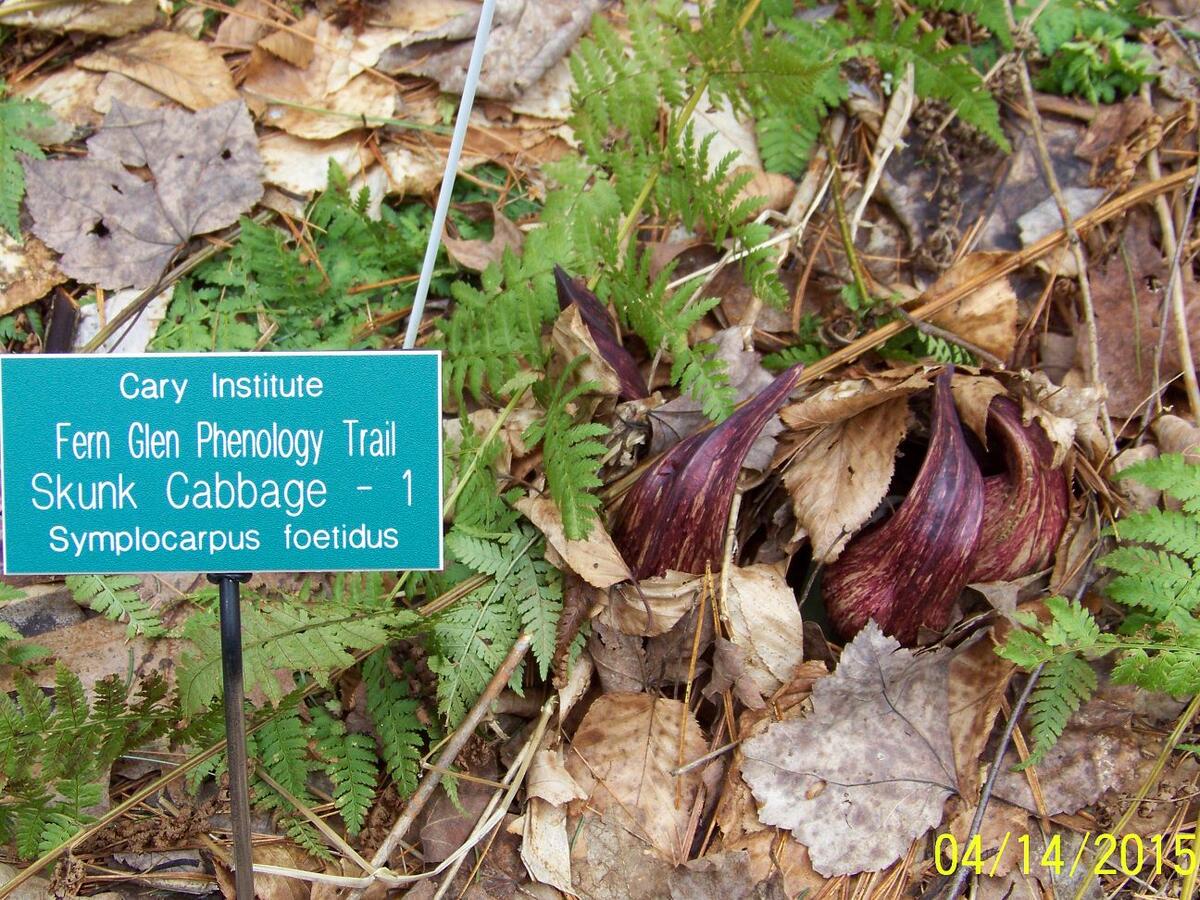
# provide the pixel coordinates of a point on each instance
(842, 472)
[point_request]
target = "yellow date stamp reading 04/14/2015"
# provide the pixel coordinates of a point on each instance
(1131, 855)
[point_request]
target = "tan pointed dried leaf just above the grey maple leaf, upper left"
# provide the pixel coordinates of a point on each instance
(188, 71)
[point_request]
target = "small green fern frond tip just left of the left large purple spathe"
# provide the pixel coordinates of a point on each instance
(572, 453)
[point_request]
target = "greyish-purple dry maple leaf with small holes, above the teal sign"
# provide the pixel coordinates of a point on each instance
(115, 229)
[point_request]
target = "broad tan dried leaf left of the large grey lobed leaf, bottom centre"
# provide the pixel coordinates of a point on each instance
(623, 754)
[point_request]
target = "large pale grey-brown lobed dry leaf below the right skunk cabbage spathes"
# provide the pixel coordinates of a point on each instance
(871, 769)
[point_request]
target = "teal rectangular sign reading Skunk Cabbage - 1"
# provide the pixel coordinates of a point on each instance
(221, 463)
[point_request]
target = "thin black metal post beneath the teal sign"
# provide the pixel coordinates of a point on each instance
(232, 682)
